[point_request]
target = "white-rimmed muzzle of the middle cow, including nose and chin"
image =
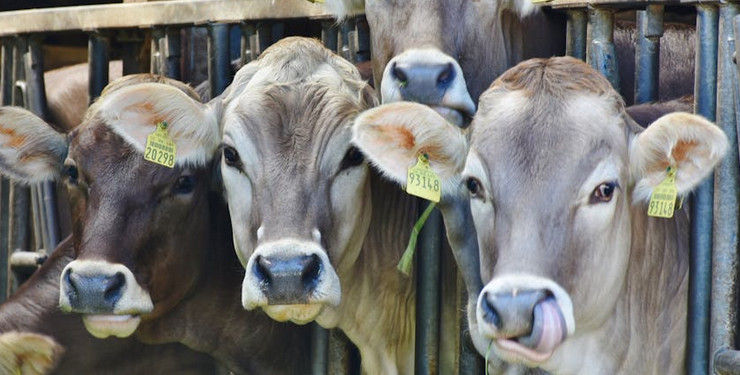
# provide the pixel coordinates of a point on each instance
(290, 280)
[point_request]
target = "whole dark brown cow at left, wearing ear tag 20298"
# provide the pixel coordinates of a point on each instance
(152, 247)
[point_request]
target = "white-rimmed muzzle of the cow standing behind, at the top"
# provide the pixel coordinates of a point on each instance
(430, 77)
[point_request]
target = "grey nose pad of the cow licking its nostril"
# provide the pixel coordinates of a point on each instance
(512, 313)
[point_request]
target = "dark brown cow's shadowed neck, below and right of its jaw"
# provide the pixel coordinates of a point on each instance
(211, 318)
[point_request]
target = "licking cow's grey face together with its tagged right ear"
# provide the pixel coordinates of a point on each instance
(557, 172)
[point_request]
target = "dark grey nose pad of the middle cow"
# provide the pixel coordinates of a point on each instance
(290, 280)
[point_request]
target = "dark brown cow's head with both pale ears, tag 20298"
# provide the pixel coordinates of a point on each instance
(140, 229)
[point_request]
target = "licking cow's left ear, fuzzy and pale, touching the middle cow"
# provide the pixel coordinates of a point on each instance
(392, 137)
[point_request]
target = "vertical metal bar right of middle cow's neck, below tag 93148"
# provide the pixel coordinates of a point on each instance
(427, 296)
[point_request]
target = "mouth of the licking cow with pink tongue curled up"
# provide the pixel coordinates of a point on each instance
(548, 331)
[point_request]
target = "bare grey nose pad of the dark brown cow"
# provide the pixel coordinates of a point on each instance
(93, 293)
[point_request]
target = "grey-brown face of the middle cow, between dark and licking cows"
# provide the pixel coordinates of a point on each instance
(298, 192)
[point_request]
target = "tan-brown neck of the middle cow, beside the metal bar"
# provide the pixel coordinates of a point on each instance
(378, 308)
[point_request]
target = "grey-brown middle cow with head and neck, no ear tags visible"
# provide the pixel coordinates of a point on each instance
(319, 233)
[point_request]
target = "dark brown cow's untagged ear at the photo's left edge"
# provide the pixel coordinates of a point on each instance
(31, 151)
